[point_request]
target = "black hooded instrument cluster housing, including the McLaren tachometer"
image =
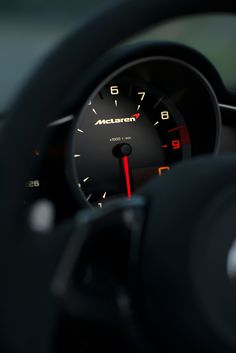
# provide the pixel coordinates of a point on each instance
(152, 106)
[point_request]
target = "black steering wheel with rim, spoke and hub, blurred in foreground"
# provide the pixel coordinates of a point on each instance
(171, 291)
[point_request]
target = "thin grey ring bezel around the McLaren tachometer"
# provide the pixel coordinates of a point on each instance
(71, 173)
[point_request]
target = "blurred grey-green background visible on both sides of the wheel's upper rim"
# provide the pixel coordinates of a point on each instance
(30, 28)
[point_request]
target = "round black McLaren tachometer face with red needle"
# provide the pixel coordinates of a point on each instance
(128, 133)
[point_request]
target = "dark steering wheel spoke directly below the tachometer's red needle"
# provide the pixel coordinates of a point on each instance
(97, 267)
